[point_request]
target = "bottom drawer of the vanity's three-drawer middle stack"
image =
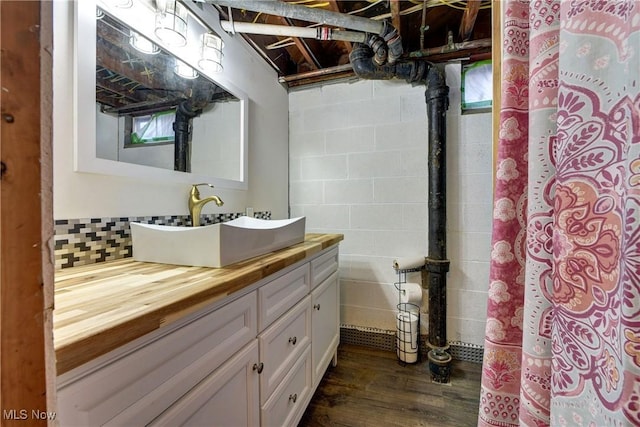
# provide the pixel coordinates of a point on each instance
(287, 403)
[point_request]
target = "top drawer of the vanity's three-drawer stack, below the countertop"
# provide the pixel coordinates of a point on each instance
(277, 297)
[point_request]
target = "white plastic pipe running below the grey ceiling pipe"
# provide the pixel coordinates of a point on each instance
(318, 33)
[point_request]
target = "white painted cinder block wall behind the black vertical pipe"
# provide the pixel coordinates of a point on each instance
(358, 166)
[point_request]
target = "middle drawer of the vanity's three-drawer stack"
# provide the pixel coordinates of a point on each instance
(281, 344)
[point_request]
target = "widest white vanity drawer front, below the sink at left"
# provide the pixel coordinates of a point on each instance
(135, 388)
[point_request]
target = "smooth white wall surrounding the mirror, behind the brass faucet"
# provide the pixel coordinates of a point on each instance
(83, 195)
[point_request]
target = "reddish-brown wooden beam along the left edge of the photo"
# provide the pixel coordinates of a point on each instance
(24, 192)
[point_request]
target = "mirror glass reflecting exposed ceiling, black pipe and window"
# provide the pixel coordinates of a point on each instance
(155, 110)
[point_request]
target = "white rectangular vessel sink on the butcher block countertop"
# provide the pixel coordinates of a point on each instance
(215, 245)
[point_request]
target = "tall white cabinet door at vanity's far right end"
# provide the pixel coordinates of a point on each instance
(325, 325)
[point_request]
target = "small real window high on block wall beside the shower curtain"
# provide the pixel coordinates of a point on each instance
(477, 86)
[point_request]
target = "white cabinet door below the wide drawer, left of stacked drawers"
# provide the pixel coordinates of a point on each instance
(227, 397)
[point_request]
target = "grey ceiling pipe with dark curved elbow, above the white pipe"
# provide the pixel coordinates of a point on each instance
(386, 41)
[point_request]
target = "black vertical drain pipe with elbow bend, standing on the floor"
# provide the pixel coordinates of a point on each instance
(437, 264)
